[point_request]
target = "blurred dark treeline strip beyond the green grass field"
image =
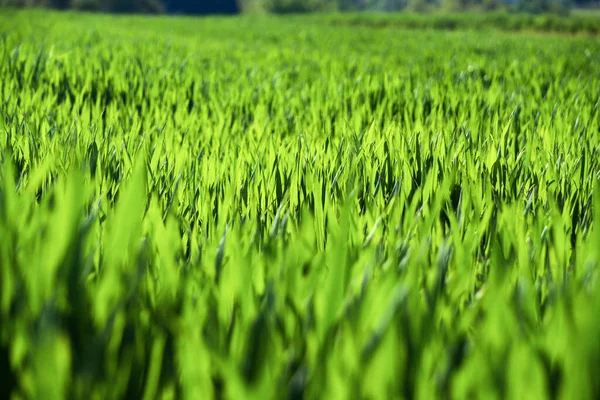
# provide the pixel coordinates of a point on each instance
(300, 6)
